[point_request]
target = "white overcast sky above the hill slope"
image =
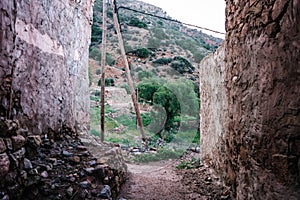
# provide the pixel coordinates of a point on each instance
(205, 13)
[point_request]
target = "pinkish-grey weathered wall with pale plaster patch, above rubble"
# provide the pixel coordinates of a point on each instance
(44, 63)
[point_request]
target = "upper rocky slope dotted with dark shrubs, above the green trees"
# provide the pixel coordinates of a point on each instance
(161, 38)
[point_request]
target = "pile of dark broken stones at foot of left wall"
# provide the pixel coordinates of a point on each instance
(56, 166)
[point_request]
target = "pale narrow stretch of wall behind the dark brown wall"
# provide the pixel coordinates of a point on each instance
(213, 107)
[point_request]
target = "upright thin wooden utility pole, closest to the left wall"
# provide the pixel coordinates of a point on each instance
(103, 63)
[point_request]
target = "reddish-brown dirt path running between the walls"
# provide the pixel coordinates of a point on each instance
(162, 181)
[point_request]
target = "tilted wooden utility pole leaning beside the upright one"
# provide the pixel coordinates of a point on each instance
(127, 70)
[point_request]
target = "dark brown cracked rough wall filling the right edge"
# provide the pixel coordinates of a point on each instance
(263, 94)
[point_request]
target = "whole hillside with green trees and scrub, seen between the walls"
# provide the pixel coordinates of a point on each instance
(164, 58)
